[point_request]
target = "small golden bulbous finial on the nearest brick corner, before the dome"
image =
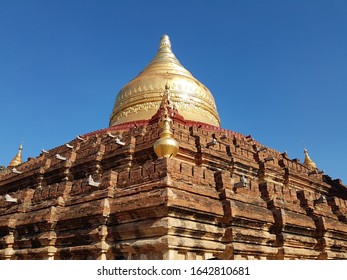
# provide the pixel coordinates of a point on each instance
(166, 146)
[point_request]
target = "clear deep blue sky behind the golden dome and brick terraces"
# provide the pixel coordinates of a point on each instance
(277, 69)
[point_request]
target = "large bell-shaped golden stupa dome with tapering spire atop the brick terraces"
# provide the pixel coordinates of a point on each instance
(141, 97)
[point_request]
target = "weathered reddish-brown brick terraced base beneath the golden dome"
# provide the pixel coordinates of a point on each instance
(190, 207)
